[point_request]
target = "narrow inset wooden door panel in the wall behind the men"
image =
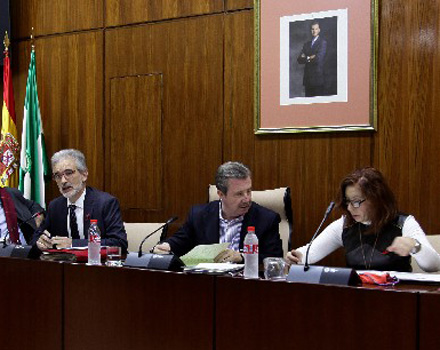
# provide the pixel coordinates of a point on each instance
(136, 133)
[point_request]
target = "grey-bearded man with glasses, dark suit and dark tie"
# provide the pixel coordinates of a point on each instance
(68, 216)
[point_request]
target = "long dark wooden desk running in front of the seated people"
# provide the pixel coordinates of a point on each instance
(49, 305)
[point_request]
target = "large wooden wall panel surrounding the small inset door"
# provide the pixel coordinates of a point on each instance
(189, 56)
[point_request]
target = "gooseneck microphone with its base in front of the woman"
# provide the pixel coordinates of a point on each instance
(321, 274)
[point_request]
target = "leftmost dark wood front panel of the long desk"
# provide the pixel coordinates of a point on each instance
(31, 311)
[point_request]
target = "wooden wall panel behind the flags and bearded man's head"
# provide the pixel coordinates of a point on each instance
(69, 78)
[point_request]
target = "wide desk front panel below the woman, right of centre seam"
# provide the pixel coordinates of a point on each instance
(279, 315)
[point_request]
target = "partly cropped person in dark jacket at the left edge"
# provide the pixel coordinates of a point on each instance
(17, 223)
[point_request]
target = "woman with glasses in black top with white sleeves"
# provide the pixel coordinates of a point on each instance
(374, 234)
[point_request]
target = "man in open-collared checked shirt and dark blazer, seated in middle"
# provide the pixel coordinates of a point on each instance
(227, 220)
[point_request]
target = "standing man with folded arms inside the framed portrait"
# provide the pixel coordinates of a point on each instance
(313, 56)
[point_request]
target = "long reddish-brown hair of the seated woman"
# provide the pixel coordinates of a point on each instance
(375, 188)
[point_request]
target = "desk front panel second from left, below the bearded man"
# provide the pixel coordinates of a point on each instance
(115, 308)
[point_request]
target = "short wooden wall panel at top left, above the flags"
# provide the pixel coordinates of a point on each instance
(55, 16)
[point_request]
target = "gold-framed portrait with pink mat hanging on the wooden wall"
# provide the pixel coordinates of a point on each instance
(315, 66)
